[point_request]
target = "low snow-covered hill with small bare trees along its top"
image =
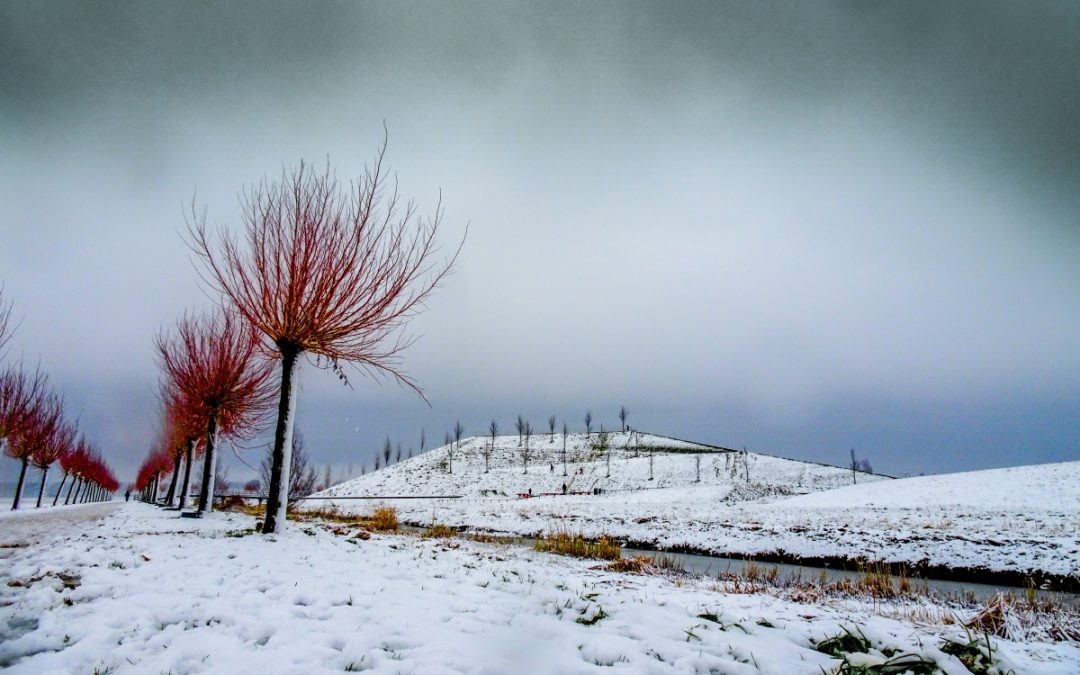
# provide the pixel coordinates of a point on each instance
(634, 462)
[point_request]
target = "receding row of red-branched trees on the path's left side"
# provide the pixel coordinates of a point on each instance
(36, 431)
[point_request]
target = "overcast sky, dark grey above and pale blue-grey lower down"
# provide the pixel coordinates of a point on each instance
(796, 227)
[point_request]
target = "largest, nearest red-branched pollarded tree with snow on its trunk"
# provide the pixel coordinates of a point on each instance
(329, 271)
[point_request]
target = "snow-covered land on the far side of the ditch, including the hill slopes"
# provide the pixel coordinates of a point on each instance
(1022, 520)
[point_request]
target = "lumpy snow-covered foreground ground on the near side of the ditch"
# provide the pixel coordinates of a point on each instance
(132, 589)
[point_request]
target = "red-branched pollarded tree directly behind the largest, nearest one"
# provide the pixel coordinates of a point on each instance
(215, 366)
